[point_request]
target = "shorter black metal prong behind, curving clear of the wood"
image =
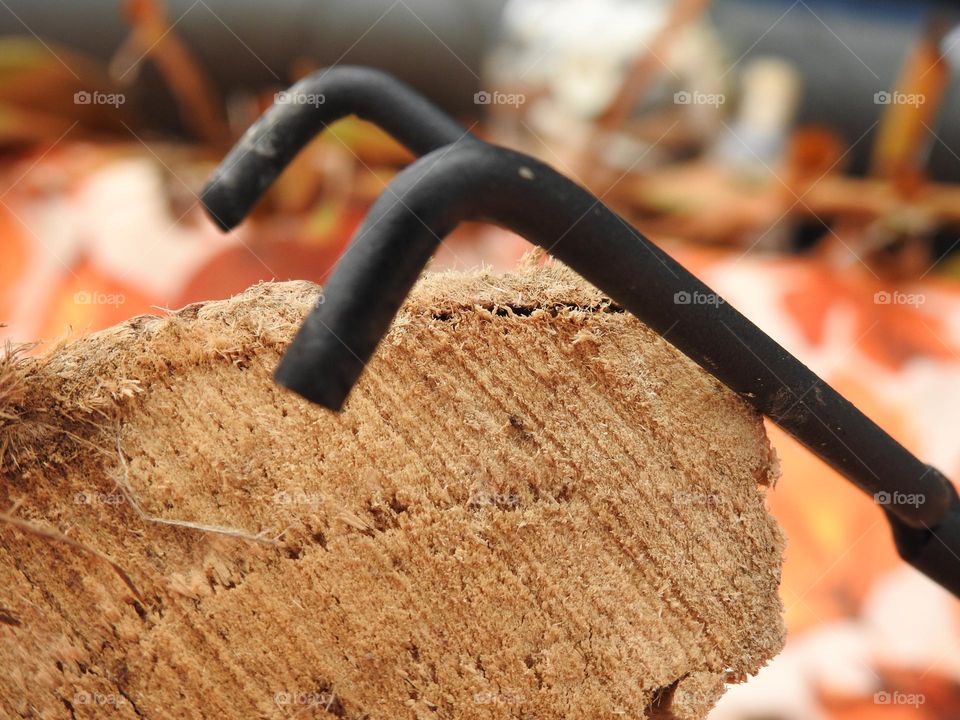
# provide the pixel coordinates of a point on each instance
(306, 109)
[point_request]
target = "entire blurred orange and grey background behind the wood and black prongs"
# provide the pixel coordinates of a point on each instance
(797, 156)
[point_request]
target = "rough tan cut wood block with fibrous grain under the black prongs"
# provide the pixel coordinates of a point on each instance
(532, 507)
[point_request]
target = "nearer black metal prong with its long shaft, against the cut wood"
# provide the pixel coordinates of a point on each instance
(477, 181)
